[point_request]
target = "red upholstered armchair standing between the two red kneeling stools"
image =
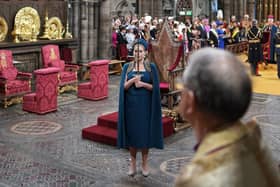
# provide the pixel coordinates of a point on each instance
(68, 78)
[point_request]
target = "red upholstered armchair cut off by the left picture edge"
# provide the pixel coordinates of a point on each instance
(13, 84)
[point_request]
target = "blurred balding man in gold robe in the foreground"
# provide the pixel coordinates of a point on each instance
(217, 93)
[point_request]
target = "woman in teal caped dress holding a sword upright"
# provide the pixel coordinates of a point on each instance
(139, 122)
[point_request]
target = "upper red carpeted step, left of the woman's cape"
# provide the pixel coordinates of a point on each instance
(108, 120)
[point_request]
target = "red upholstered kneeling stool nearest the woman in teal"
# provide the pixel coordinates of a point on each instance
(97, 87)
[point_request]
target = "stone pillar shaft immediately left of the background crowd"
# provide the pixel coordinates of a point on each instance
(105, 30)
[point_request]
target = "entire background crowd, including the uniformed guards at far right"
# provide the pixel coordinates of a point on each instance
(198, 33)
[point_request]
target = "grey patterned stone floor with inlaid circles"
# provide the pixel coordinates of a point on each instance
(57, 156)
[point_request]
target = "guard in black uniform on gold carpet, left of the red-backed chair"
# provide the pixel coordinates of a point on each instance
(254, 36)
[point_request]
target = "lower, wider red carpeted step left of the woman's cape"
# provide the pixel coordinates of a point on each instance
(100, 134)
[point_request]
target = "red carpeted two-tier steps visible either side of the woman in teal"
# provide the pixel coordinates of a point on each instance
(106, 129)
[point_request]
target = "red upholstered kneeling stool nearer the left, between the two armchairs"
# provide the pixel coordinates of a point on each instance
(45, 98)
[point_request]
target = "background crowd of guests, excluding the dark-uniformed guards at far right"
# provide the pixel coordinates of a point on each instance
(196, 33)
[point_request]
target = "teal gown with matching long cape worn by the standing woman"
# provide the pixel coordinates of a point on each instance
(139, 123)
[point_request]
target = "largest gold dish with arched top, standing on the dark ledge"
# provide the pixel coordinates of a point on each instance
(27, 25)
